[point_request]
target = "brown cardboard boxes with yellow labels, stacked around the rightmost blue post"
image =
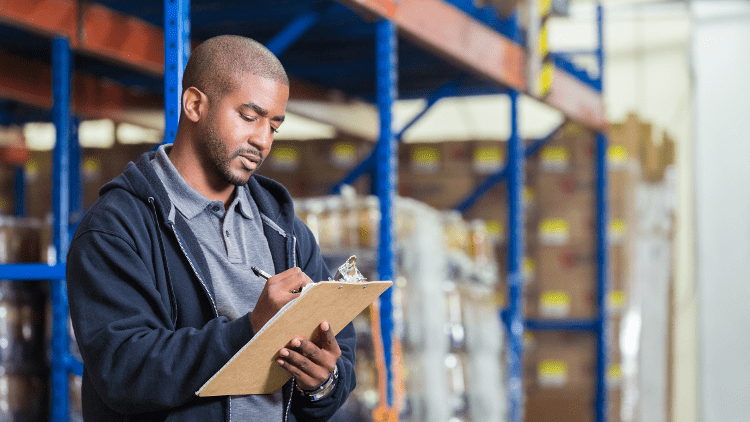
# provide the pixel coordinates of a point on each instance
(560, 367)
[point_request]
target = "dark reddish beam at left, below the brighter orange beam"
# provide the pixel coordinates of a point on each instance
(31, 83)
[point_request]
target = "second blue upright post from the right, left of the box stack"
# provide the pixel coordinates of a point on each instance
(516, 248)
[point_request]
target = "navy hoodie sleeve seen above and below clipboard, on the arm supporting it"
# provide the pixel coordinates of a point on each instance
(311, 262)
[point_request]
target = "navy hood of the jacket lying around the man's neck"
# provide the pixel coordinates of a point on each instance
(140, 180)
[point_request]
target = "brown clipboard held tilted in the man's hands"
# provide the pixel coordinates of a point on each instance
(253, 369)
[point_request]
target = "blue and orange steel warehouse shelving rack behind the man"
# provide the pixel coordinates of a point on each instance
(128, 34)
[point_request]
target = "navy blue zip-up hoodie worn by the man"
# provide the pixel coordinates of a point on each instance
(141, 302)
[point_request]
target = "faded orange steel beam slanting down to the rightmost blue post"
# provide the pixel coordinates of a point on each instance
(450, 33)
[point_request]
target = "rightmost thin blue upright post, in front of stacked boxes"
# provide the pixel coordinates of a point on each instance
(602, 218)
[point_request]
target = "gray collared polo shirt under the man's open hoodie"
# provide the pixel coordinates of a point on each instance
(232, 242)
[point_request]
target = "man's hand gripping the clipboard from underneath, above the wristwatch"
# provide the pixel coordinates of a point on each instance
(311, 361)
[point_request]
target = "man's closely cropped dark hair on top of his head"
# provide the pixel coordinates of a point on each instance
(217, 64)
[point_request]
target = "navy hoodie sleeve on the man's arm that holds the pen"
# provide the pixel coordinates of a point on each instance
(136, 360)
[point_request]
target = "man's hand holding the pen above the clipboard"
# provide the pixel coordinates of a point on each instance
(277, 292)
